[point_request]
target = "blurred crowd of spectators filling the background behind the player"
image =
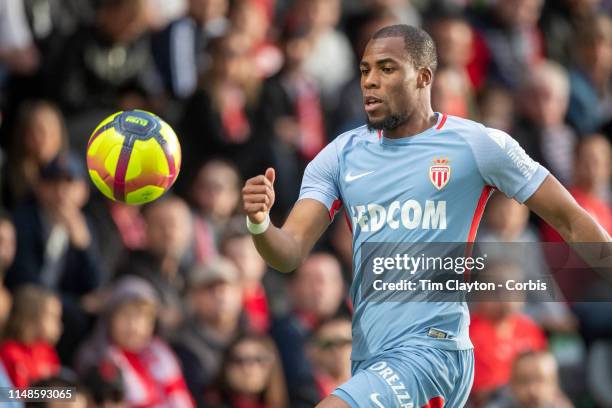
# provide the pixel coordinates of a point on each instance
(169, 304)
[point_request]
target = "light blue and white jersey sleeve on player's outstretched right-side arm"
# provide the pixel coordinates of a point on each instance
(504, 164)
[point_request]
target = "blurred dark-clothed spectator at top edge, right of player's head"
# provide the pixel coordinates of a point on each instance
(508, 42)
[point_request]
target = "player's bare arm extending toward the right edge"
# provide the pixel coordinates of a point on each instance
(555, 205)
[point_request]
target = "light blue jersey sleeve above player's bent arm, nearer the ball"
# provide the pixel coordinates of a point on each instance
(320, 181)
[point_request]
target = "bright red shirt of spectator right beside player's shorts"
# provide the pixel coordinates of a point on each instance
(494, 351)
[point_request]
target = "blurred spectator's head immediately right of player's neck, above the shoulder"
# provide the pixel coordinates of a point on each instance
(450, 93)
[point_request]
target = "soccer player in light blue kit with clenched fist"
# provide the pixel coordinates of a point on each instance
(394, 179)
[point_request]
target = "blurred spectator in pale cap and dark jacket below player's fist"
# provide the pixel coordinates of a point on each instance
(216, 320)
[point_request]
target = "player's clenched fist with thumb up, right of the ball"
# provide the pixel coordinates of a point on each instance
(258, 196)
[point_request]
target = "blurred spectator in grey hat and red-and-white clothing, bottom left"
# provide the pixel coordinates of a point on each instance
(125, 339)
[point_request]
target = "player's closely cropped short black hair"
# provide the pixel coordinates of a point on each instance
(419, 45)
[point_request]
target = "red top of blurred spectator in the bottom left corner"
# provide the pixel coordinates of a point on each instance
(28, 363)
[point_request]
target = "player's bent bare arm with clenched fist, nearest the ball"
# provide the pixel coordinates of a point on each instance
(283, 248)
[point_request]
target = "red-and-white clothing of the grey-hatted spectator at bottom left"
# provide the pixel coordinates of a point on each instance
(152, 378)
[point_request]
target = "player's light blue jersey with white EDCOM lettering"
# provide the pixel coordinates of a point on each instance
(429, 187)
